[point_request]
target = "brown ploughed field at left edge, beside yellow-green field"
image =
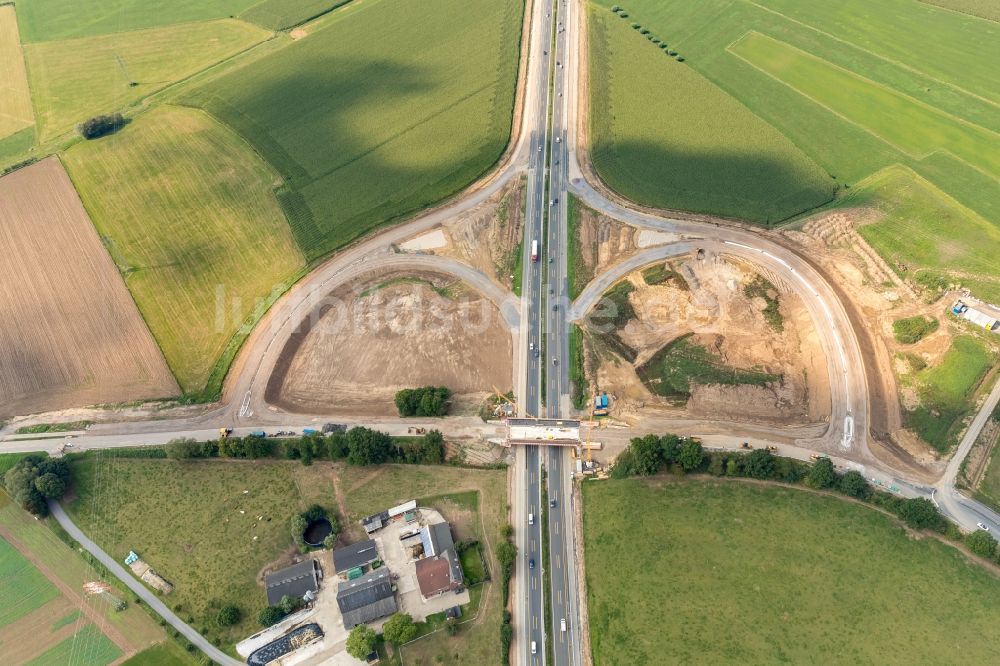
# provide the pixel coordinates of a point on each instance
(70, 333)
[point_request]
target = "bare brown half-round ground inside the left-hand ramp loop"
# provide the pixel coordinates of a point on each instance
(391, 332)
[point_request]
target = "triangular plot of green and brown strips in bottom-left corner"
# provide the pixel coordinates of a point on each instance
(61, 626)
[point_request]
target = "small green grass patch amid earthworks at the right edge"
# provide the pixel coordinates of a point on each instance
(946, 390)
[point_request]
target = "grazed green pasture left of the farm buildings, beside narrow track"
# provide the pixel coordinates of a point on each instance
(194, 525)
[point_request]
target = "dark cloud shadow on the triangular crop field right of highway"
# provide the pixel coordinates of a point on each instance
(731, 184)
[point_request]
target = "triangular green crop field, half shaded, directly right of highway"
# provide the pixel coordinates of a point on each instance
(665, 136)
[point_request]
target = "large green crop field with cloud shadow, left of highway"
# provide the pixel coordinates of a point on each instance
(389, 109)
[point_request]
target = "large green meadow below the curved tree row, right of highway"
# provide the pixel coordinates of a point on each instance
(730, 572)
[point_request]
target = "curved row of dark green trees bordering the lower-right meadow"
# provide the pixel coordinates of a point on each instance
(651, 454)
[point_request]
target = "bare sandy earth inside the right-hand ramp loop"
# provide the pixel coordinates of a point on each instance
(707, 297)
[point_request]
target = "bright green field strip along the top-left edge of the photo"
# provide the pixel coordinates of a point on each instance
(48, 20)
